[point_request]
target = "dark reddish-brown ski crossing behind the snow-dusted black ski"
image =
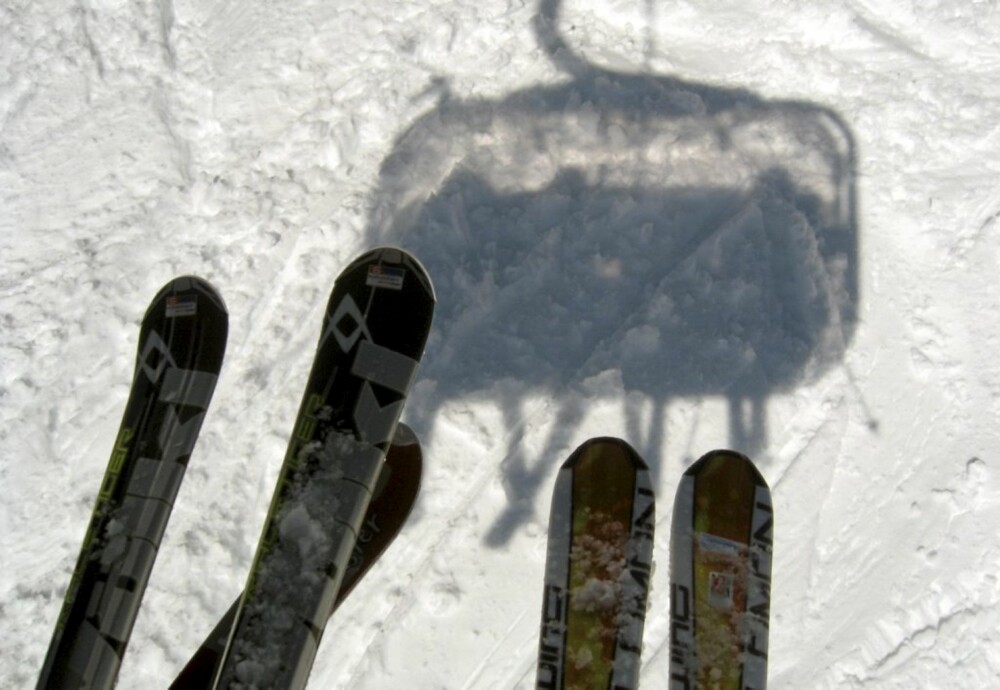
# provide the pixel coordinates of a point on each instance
(392, 501)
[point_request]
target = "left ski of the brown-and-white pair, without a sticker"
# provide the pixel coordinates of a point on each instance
(597, 570)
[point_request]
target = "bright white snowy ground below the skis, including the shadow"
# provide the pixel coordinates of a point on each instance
(773, 226)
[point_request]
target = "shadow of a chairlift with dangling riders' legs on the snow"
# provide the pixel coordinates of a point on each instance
(645, 235)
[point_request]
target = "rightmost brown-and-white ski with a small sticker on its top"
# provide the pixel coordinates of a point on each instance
(720, 572)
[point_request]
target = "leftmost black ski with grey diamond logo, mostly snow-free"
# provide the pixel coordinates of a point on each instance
(181, 345)
